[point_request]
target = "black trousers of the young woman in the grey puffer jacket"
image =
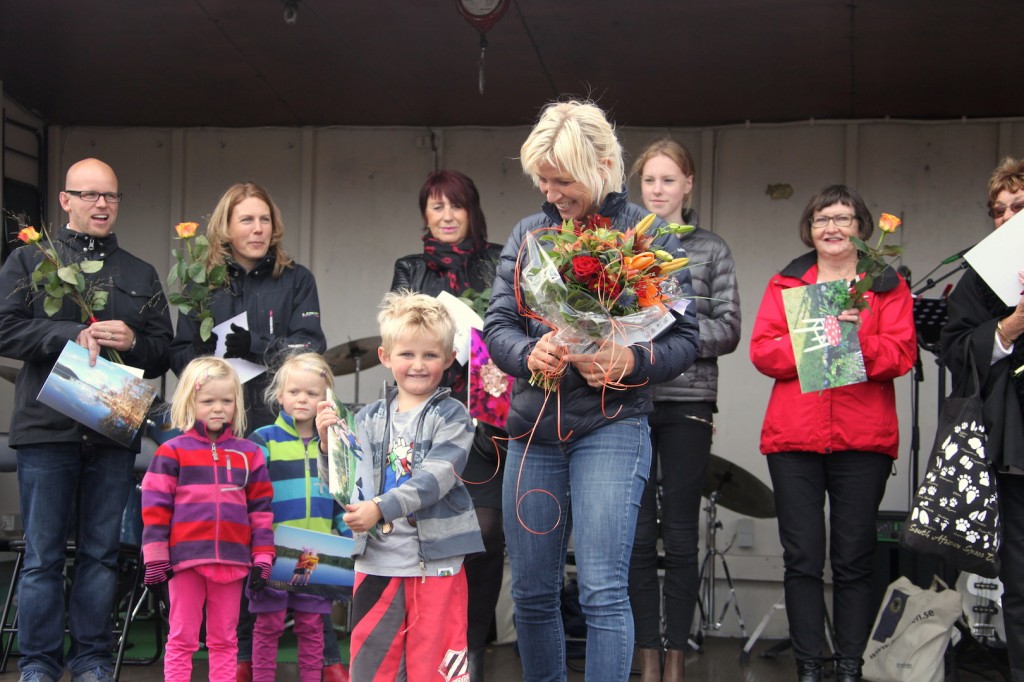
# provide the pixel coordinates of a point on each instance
(681, 435)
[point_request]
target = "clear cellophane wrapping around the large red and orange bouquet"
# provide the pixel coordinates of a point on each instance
(583, 322)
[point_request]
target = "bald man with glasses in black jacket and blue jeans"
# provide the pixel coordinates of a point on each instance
(73, 482)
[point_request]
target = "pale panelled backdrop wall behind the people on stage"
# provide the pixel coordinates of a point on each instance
(350, 202)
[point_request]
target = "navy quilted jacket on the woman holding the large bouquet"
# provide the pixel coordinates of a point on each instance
(511, 336)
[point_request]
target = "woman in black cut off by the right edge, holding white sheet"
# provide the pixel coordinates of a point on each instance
(979, 318)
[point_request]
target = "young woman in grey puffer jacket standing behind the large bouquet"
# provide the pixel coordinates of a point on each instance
(681, 425)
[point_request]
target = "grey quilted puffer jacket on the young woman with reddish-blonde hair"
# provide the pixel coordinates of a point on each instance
(717, 303)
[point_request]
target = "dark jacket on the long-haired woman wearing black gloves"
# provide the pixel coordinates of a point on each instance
(290, 301)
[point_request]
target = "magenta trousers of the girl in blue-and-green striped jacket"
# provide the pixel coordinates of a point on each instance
(309, 632)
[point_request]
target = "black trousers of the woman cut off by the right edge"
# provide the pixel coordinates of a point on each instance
(1012, 570)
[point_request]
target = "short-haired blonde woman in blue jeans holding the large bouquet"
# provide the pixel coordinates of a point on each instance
(580, 456)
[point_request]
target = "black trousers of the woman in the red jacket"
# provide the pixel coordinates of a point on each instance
(855, 483)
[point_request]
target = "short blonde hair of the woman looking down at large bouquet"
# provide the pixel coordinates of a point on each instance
(577, 139)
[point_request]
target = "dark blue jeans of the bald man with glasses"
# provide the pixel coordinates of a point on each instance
(58, 483)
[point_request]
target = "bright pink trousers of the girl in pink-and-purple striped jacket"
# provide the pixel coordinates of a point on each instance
(190, 592)
